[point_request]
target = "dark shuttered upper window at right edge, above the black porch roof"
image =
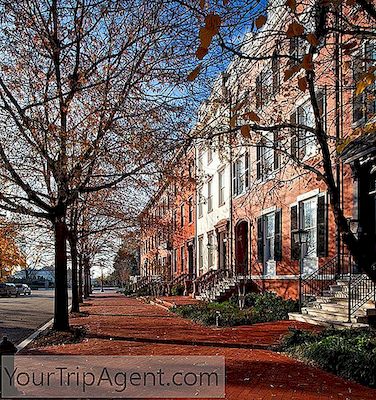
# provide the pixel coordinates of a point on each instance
(364, 104)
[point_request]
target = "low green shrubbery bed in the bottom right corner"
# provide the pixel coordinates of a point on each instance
(349, 353)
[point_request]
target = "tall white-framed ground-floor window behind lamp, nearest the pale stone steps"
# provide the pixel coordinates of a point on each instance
(308, 222)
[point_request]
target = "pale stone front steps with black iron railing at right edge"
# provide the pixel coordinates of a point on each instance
(331, 309)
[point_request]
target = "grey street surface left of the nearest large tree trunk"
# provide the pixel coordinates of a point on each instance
(21, 316)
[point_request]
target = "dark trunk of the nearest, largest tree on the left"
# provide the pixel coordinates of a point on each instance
(61, 320)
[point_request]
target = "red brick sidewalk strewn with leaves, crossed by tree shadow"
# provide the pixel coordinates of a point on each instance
(121, 326)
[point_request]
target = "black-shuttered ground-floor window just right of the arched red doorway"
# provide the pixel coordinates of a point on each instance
(269, 237)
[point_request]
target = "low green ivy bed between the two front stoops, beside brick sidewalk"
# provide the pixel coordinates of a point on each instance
(259, 308)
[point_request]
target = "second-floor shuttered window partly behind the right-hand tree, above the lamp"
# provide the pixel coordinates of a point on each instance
(303, 142)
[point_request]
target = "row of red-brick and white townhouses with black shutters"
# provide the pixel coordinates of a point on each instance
(252, 196)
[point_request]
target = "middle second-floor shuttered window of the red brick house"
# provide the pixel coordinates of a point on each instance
(267, 156)
